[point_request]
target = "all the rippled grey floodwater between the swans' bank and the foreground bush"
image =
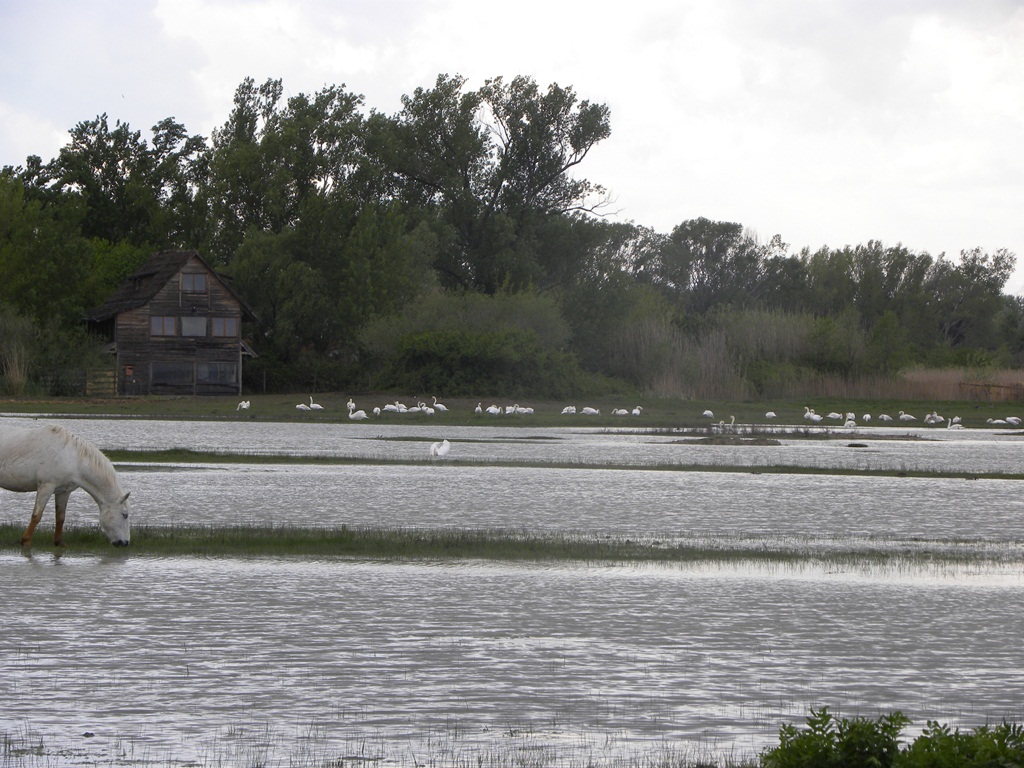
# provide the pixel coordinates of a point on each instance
(296, 662)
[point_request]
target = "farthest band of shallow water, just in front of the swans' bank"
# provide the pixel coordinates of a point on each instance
(934, 449)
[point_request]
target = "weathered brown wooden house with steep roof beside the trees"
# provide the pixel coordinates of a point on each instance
(176, 328)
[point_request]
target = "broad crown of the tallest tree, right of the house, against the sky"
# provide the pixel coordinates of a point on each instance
(491, 168)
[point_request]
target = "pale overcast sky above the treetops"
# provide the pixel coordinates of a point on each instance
(828, 122)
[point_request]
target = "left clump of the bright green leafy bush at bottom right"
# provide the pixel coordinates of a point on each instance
(830, 743)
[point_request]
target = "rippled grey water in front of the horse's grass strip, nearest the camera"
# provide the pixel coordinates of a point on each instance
(185, 660)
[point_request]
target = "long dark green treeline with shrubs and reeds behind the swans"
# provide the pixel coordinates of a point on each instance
(454, 247)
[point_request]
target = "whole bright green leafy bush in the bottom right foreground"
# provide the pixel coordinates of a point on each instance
(860, 743)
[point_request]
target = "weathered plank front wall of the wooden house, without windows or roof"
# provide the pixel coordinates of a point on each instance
(139, 351)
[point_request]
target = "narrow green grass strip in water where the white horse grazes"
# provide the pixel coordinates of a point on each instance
(496, 545)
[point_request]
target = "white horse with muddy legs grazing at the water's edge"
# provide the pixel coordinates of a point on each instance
(53, 461)
